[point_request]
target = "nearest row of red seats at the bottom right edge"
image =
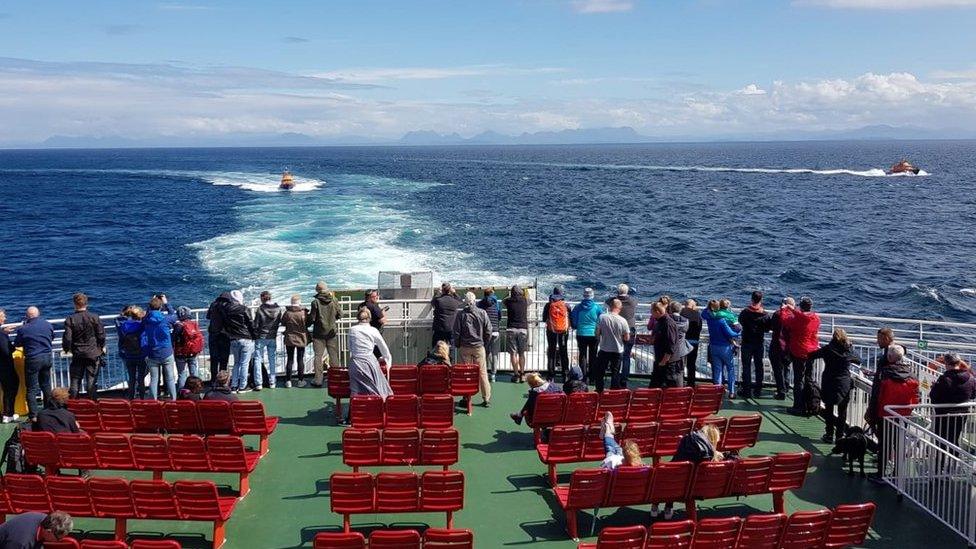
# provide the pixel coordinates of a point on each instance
(845, 526)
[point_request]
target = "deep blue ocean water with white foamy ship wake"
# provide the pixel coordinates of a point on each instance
(702, 220)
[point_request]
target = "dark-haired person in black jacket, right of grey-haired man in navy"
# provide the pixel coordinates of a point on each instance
(84, 338)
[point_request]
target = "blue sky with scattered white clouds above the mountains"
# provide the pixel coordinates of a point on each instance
(180, 70)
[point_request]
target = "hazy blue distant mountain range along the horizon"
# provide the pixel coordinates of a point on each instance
(564, 137)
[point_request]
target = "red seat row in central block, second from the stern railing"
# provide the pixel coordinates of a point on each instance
(402, 412)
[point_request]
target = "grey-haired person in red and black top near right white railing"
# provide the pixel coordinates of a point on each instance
(898, 388)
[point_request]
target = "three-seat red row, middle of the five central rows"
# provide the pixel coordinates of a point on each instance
(373, 447)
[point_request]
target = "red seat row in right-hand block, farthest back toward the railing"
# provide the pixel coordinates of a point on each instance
(638, 405)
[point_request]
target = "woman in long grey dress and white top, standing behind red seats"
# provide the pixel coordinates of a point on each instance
(365, 375)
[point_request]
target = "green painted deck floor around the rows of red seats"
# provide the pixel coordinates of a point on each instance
(507, 500)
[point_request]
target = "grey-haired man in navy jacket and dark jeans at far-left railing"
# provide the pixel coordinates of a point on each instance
(36, 337)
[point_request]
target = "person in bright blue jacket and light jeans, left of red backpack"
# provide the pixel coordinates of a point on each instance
(157, 344)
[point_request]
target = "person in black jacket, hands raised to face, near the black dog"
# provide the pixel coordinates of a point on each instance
(835, 383)
